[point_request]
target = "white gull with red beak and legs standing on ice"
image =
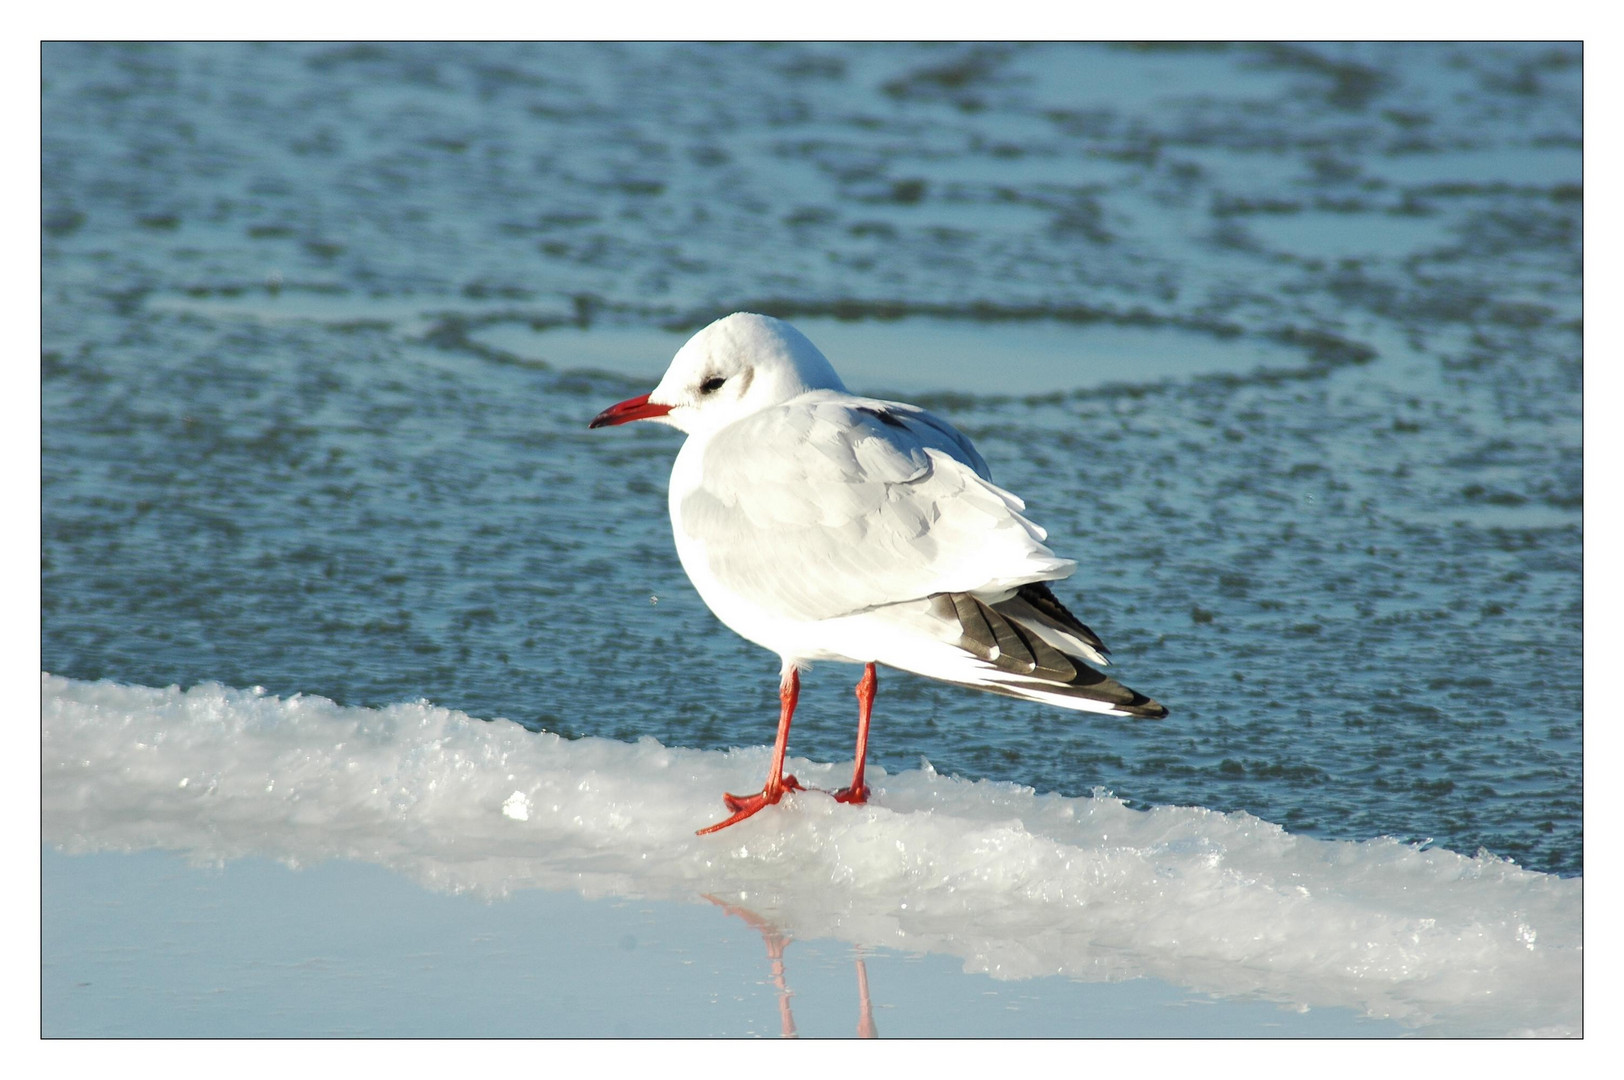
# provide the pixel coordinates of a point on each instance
(823, 525)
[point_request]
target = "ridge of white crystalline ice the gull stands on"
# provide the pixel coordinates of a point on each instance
(1014, 883)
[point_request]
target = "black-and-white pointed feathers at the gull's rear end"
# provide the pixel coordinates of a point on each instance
(1017, 641)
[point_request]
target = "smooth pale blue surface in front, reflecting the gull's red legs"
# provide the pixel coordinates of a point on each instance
(147, 944)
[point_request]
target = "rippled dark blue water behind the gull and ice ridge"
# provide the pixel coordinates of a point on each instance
(324, 327)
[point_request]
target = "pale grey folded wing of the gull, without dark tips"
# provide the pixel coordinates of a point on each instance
(823, 509)
